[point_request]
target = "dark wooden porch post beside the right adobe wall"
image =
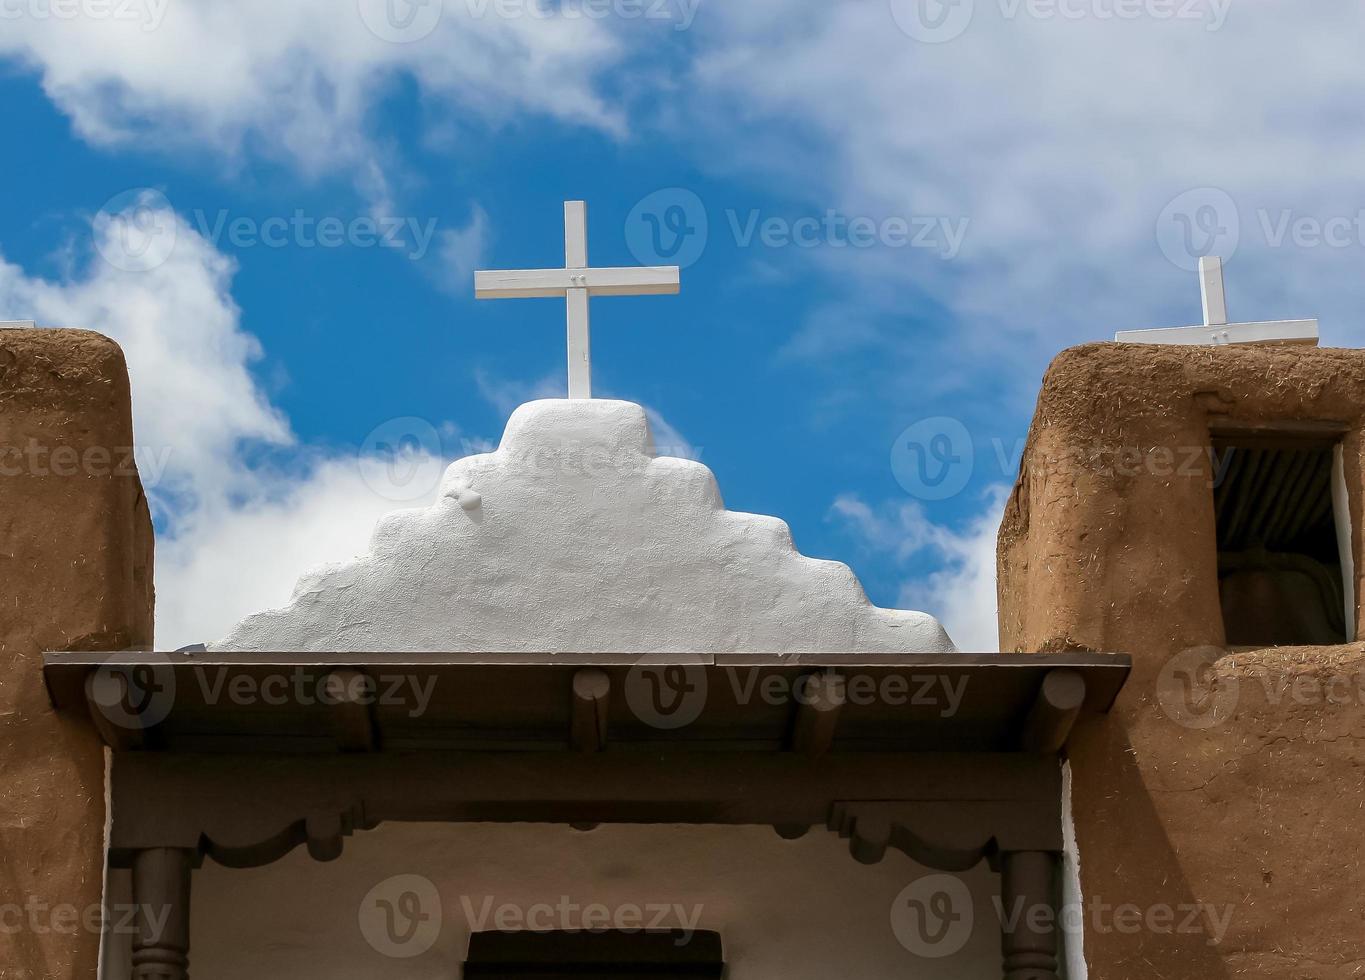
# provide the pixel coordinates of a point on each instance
(1030, 915)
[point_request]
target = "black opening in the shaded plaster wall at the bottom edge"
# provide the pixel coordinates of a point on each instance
(622, 956)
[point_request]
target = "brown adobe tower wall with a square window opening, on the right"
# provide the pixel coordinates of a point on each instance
(1222, 799)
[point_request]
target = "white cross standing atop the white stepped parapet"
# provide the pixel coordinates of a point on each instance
(577, 282)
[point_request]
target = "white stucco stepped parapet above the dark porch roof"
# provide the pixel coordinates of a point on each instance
(574, 537)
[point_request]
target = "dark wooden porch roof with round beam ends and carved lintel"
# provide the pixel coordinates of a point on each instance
(245, 757)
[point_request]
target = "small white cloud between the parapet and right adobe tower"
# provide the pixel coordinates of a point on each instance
(962, 590)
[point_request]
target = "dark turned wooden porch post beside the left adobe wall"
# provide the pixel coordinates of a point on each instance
(162, 896)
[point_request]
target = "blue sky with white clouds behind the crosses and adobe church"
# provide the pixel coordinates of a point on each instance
(1019, 175)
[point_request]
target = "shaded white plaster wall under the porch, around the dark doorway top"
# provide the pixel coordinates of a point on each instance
(787, 910)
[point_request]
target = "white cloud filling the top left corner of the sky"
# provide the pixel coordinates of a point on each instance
(301, 81)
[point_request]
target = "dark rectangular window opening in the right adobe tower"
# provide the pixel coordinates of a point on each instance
(1280, 566)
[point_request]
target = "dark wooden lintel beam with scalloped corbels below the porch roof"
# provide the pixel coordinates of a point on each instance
(249, 810)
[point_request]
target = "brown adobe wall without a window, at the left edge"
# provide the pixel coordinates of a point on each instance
(76, 574)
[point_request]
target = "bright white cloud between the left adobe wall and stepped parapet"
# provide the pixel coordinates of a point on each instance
(234, 537)
